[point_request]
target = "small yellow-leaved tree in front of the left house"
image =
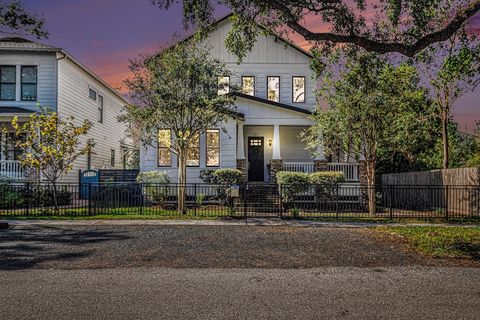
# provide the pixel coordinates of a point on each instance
(51, 145)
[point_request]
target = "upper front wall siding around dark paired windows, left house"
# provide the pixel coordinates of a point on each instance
(46, 77)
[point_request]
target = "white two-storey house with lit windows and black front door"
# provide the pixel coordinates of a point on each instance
(275, 104)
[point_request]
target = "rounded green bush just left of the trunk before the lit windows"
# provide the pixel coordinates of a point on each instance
(156, 193)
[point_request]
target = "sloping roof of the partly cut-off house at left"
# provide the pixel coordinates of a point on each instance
(22, 44)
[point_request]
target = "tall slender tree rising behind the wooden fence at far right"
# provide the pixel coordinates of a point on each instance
(452, 69)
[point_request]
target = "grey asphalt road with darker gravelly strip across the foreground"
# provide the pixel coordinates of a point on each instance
(217, 272)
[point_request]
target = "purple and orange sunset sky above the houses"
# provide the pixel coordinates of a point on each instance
(105, 34)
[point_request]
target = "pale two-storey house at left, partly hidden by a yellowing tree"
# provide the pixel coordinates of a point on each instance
(33, 75)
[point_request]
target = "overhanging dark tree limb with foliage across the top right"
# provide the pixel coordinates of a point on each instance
(403, 26)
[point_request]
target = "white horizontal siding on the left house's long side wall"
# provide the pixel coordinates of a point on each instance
(73, 99)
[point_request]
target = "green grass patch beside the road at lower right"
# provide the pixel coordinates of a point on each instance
(438, 241)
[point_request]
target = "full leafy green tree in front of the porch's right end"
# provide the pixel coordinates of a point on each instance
(373, 105)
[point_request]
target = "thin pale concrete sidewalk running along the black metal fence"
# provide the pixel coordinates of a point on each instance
(240, 222)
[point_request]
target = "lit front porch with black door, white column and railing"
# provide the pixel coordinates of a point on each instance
(263, 150)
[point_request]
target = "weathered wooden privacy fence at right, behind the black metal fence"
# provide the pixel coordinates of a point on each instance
(450, 190)
